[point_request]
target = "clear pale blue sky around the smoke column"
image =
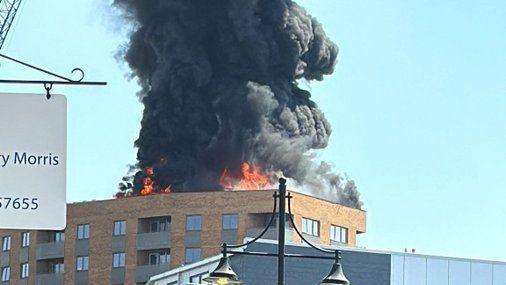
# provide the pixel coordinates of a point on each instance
(417, 104)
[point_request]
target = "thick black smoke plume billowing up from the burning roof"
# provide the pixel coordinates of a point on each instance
(219, 87)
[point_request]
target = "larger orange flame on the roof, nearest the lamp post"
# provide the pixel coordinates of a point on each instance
(253, 178)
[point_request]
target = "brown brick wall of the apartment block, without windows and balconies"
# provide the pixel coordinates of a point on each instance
(210, 205)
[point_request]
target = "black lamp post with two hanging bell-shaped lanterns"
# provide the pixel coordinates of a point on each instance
(224, 274)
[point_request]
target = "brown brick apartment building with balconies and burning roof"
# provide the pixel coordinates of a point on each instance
(127, 241)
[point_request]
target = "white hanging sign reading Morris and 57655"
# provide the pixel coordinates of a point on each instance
(33, 153)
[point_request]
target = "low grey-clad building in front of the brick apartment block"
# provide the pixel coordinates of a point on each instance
(361, 267)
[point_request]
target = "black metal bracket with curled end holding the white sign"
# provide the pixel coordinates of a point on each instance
(48, 84)
